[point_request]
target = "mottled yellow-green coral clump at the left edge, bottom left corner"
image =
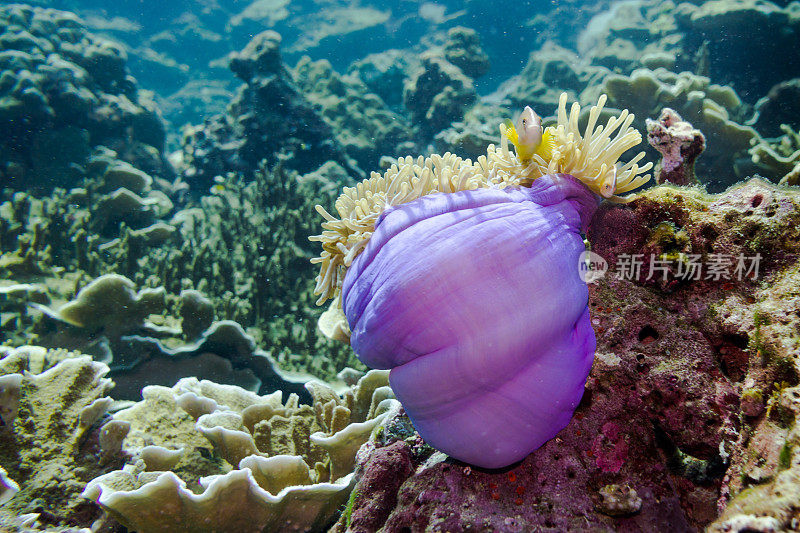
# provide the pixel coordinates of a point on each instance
(49, 443)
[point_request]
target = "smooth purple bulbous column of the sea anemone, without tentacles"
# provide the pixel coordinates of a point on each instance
(474, 301)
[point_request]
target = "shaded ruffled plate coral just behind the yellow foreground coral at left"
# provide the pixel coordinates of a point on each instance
(130, 331)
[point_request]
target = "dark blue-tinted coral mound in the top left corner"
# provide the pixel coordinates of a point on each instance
(64, 92)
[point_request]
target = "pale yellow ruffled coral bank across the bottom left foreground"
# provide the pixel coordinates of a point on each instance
(60, 442)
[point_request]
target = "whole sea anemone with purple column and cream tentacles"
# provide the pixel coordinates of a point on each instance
(462, 278)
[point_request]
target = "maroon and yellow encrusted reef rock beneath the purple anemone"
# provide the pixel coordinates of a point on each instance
(663, 439)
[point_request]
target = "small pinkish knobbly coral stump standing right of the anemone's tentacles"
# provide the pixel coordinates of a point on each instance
(679, 144)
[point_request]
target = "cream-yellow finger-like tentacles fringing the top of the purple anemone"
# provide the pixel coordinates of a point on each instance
(592, 158)
